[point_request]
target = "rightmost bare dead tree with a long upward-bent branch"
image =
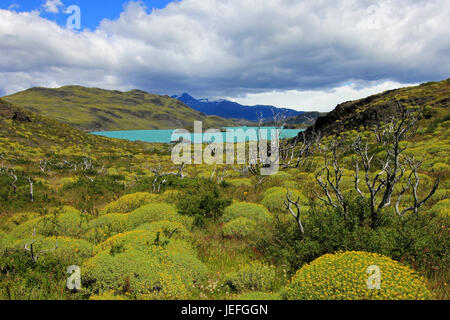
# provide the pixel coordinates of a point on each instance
(413, 182)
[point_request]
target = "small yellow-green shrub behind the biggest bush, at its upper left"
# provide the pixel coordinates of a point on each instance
(106, 226)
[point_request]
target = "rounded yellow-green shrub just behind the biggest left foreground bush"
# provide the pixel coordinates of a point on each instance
(156, 212)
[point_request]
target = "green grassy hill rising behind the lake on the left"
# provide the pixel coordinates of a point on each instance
(103, 110)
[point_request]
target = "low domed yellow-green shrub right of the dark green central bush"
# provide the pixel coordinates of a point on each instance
(250, 211)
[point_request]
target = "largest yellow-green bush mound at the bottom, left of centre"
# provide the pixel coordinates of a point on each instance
(144, 265)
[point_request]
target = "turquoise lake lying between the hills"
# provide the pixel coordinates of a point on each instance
(236, 134)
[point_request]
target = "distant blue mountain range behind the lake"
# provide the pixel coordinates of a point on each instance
(233, 110)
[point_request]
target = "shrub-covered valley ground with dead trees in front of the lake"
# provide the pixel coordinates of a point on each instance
(341, 211)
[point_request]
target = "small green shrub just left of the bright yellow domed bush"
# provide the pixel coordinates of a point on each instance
(254, 276)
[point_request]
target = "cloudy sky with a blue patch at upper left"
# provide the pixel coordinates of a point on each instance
(308, 55)
